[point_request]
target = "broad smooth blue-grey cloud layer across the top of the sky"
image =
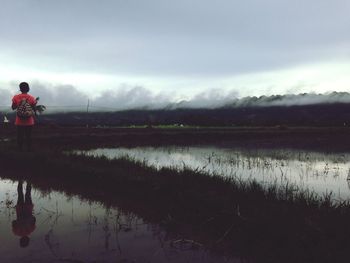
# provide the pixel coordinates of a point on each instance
(174, 37)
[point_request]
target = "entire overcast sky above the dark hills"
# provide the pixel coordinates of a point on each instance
(170, 50)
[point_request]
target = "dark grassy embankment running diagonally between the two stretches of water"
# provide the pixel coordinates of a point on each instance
(266, 225)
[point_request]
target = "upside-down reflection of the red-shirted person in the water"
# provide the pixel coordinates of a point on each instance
(24, 225)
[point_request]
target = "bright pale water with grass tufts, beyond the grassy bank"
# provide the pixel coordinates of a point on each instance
(322, 173)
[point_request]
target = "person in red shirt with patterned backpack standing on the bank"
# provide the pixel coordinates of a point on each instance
(24, 105)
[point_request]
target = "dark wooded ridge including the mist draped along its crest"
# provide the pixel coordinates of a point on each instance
(331, 109)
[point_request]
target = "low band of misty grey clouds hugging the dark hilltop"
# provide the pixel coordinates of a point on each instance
(69, 98)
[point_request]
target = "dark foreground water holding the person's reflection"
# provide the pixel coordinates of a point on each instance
(37, 226)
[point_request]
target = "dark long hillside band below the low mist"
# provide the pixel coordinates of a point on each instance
(336, 114)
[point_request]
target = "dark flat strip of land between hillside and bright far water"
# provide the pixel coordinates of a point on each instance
(308, 138)
